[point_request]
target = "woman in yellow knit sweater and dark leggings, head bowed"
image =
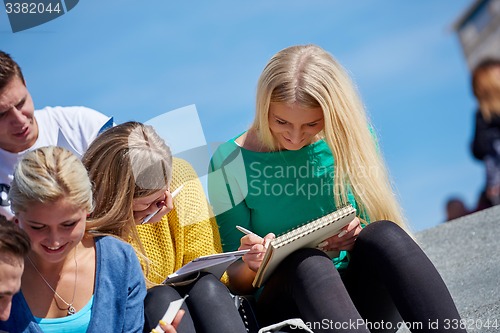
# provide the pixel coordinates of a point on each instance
(134, 175)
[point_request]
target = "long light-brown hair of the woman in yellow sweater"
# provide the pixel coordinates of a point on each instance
(125, 162)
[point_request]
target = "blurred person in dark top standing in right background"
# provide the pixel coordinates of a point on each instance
(486, 141)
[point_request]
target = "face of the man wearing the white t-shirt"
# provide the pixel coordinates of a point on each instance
(18, 127)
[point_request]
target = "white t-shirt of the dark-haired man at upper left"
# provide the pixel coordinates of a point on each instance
(72, 127)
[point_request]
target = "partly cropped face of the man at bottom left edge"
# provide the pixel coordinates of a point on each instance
(11, 270)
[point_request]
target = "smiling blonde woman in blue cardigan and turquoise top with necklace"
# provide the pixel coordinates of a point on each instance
(72, 281)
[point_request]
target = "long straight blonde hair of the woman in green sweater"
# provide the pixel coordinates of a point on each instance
(311, 77)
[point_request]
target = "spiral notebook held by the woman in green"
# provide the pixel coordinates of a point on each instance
(307, 235)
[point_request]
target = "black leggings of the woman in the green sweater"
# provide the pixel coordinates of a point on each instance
(389, 279)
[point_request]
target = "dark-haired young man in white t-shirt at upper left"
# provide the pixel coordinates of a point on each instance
(22, 128)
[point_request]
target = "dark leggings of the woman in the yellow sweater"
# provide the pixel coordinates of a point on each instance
(209, 307)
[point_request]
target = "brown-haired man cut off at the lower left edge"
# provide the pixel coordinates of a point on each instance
(14, 246)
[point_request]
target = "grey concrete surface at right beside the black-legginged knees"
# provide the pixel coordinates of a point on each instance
(466, 252)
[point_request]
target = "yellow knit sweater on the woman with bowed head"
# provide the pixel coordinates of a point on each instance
(186, 232)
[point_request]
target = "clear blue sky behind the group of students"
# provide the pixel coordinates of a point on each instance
(136, 60)
